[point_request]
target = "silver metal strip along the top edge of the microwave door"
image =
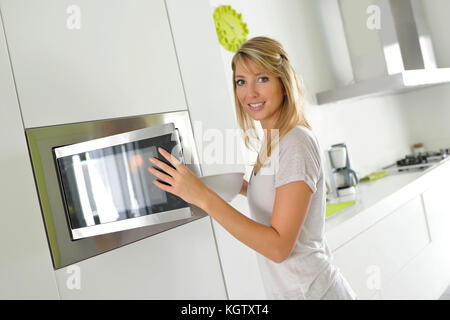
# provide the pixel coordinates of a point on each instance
(114, 140)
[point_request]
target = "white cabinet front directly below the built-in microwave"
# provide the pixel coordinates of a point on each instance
(181, 263)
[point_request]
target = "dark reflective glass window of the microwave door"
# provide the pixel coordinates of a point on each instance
(114, 183)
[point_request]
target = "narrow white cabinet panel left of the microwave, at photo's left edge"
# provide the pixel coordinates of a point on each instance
(26, 270)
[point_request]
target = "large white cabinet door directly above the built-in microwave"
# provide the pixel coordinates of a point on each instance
(85, 60)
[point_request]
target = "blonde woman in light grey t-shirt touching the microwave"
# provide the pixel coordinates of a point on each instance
(287, 200)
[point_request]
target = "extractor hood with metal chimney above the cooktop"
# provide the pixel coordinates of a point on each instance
(391, 55)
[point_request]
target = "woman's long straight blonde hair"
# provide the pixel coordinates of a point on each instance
(270, 56)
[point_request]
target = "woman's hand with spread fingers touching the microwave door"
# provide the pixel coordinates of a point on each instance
(182, 181)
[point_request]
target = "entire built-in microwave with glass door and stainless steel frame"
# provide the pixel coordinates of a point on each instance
(94, 187)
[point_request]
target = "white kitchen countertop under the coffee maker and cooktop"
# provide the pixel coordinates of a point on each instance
(376, 199)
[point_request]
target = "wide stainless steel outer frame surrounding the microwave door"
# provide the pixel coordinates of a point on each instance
(41, 142)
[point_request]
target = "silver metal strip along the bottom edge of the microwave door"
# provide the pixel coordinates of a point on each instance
(157, 218)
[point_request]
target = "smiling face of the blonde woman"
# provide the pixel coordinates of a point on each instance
(260, 94)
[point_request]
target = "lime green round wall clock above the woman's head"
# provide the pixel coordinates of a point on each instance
(231, 30)
